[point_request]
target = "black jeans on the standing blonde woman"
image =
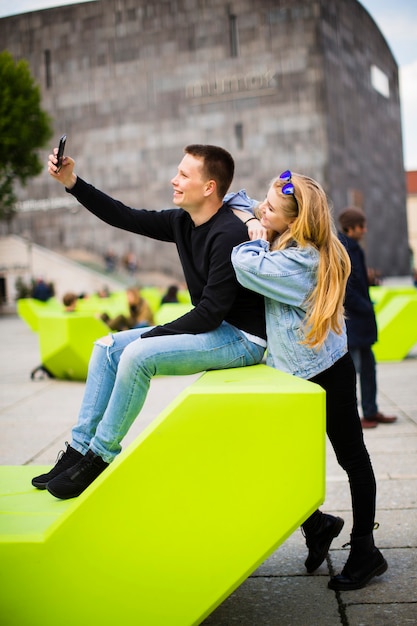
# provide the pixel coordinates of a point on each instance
(345, 434)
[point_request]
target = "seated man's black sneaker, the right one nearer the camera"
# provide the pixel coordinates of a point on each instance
(73, 481)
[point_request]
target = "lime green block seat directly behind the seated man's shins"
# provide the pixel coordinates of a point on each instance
(66, 341)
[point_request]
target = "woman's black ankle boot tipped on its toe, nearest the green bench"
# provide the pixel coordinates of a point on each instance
(319, 535)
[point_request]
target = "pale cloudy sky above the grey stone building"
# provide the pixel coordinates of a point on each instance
(397, 20)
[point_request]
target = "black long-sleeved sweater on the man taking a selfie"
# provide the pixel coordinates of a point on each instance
(204, 252)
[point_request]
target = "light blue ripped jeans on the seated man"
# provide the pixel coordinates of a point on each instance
(121, 368)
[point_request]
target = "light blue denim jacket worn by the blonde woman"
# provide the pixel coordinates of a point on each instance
(286, 278)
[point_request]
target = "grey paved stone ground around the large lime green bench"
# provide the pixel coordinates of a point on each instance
(35, 421)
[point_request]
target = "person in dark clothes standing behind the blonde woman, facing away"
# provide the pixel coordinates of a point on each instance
(361, 323)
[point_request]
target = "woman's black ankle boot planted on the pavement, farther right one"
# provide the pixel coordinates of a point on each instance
(364, 562)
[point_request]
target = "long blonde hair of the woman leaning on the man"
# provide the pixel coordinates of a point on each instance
(313, 225)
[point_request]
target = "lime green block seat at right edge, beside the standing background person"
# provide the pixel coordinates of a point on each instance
(397, 328)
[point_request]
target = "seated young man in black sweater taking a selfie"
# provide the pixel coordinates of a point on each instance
(226, 327)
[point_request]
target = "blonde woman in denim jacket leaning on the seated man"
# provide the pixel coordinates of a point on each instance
(301, 268)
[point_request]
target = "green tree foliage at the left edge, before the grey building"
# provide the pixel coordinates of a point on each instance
(24, 128)
